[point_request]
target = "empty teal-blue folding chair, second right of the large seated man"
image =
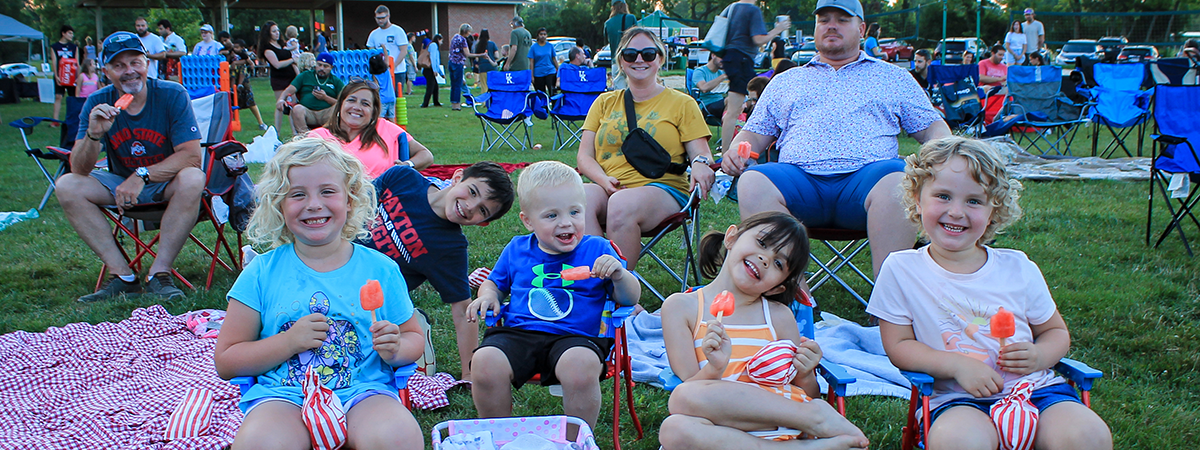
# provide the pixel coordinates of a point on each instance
(1041, 111)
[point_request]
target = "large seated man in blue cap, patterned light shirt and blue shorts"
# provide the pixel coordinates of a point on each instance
(837, 122)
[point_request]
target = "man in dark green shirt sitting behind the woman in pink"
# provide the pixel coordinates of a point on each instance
(319, 91)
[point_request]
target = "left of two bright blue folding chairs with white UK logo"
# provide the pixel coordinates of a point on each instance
(509, 104)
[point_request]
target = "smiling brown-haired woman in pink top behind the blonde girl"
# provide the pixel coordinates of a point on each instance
(357, 129)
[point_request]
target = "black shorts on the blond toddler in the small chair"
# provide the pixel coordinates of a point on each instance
(537, 353)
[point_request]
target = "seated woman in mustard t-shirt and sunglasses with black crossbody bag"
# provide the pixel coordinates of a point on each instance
(621, 197)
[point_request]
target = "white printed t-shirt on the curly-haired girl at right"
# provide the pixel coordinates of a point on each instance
(952, 313)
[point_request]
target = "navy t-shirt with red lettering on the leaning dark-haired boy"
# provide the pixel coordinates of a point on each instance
(407, 231)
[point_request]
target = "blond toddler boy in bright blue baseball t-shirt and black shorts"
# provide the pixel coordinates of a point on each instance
(551, 325)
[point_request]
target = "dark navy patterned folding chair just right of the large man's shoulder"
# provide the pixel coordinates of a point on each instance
(955, 88)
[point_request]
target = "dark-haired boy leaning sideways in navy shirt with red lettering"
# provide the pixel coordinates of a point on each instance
(421, 227)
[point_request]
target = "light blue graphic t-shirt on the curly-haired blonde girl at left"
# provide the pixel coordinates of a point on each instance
(283, 290)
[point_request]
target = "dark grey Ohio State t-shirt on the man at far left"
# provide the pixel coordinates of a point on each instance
(151, 137)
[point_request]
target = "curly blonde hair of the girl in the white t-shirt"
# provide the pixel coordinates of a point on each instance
(986, 169)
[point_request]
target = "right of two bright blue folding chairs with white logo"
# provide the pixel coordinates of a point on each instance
(580, 87)
